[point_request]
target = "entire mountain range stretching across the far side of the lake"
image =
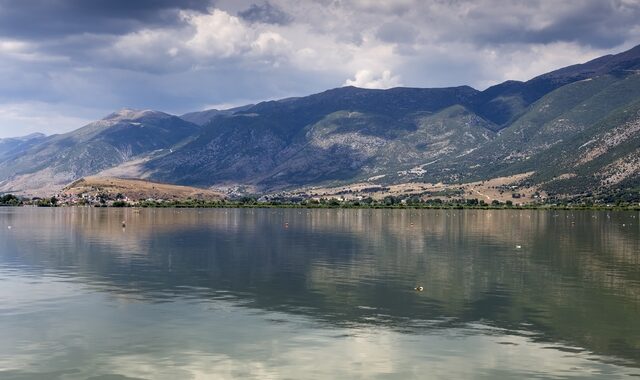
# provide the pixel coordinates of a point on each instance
(577, 129)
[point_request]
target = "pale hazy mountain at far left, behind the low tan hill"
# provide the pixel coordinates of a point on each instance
(122, 136)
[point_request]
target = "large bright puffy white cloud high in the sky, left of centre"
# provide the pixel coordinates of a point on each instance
(209, 39)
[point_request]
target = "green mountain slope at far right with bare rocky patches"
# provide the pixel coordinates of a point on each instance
(574, 138)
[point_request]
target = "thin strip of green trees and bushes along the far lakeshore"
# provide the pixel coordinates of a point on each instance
(369, 203)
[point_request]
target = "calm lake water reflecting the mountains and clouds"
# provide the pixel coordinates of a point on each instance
(250, 293)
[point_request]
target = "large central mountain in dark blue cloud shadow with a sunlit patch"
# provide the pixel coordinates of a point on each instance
(339, 134)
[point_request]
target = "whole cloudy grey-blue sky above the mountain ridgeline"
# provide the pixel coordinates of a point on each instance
(65, 63)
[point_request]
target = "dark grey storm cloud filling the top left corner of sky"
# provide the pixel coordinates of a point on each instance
(45, 19)
